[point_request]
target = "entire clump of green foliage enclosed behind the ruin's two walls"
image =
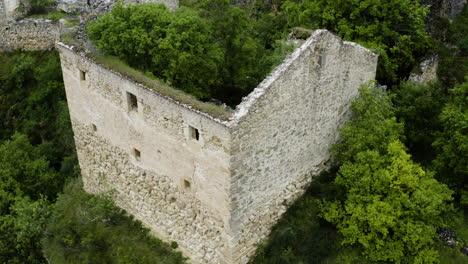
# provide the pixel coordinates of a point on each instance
(210, 51)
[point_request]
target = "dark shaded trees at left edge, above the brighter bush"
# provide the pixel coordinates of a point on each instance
(32, 102)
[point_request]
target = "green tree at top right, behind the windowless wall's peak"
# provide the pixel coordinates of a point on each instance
(396, 29)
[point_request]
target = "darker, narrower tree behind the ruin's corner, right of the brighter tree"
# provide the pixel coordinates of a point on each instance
(240, 66)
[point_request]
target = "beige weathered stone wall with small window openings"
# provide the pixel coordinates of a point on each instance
(151, 187)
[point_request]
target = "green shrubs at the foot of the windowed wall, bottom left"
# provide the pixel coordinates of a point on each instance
(85, 228)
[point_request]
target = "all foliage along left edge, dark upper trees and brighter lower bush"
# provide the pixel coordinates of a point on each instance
(36, 150)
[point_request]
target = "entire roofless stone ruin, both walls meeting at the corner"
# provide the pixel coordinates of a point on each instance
(216, 187)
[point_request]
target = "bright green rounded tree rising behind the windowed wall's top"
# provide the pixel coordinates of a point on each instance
(177, 47)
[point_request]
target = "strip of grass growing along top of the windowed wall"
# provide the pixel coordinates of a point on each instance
(115, 64)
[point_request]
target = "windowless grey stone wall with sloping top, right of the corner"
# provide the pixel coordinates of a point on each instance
(281, 133)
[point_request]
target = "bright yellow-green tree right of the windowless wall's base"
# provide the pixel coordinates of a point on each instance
(392, 206)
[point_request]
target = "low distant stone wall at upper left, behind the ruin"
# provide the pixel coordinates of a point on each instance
(28, 34)
